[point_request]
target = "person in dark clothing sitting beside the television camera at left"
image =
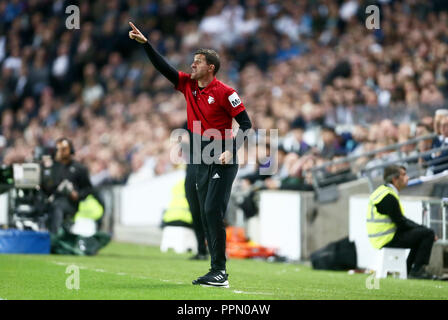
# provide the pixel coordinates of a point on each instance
(70, 184)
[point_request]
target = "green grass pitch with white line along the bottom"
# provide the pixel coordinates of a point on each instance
(129, 271)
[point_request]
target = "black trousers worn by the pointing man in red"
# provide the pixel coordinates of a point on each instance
(213, 186)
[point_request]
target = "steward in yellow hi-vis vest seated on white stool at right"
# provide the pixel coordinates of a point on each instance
(388, 227)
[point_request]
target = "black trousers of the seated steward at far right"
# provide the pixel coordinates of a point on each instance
(420, 240)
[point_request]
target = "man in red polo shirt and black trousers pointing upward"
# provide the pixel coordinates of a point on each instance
(211, 106)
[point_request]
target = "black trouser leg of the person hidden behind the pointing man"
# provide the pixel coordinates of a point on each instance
(193, 201)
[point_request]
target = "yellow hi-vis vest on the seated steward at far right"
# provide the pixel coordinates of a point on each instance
(380, 227)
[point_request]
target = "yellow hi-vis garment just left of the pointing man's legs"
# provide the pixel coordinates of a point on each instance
(178, 211)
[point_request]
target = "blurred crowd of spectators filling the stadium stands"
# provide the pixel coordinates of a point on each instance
(306, 68)
